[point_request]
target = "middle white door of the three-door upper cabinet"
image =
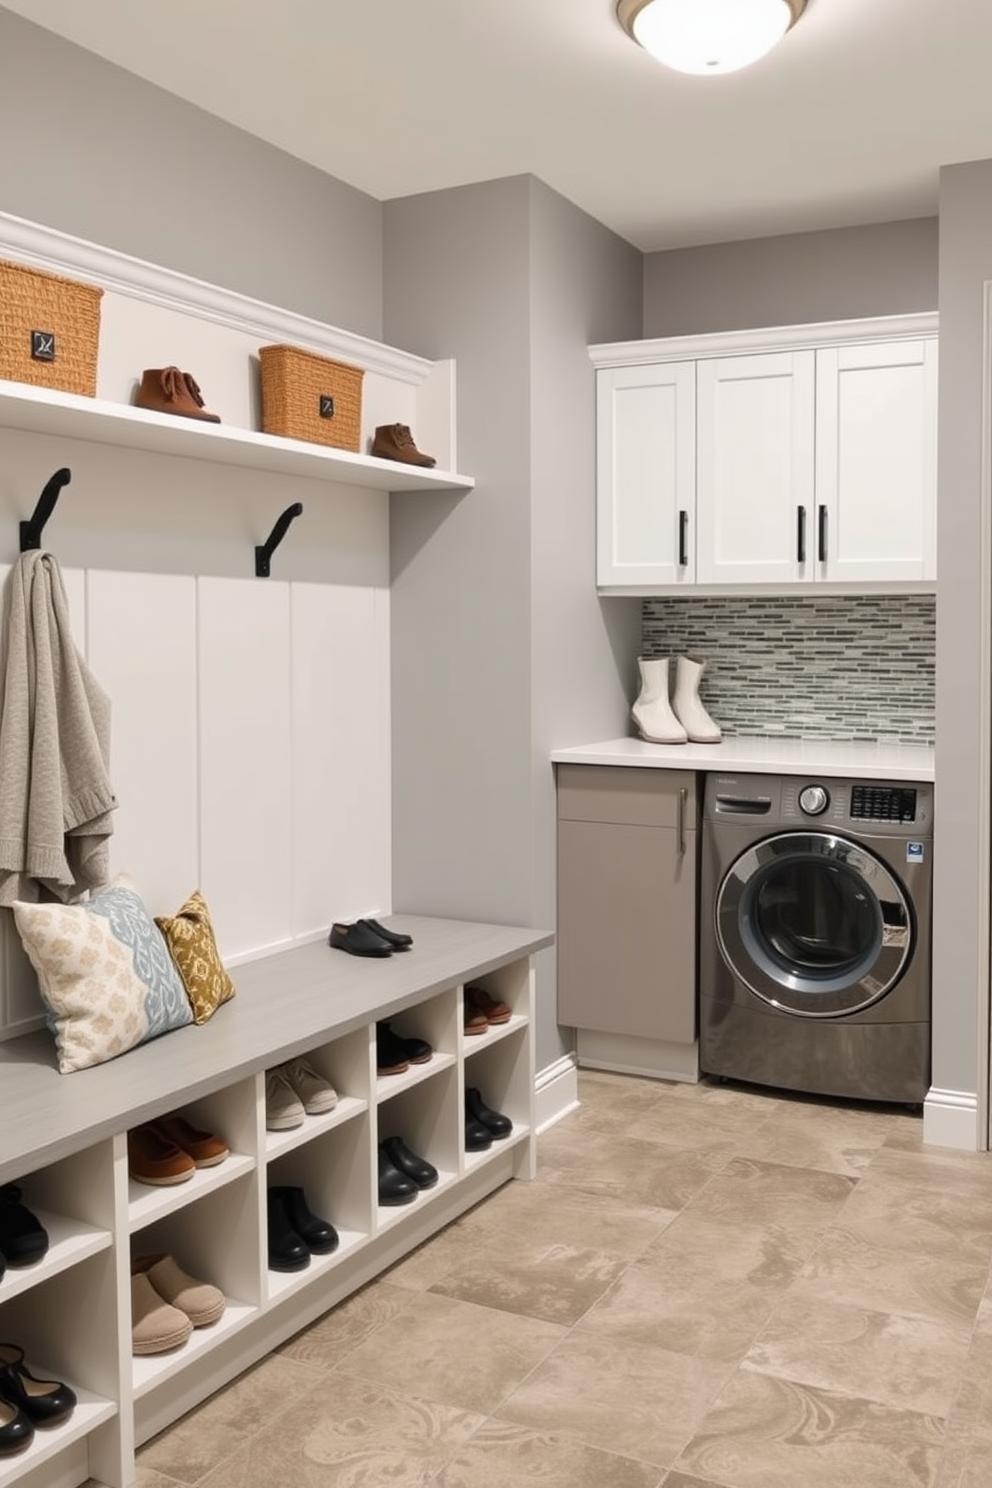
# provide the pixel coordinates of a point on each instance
(755, 468)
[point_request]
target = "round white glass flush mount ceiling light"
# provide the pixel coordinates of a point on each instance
(709, 36)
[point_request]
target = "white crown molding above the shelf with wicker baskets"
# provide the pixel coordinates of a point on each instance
(30, 243)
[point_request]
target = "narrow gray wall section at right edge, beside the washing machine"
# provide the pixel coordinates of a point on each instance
(960, 917)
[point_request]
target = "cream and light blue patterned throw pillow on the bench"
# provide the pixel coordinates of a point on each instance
(106, 977)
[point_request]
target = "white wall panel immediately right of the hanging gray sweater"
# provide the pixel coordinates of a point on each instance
(144, 650)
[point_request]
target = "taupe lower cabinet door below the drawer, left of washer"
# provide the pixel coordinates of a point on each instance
(627, 931)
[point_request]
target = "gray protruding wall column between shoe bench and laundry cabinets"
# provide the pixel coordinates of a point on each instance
(500, 647)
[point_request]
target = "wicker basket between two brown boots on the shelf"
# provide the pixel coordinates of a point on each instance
(310, 398)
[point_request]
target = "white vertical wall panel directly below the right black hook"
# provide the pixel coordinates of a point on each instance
(246, 761)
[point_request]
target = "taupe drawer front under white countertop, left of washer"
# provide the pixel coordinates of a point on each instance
(627, 795)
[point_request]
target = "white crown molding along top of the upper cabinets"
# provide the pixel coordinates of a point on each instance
(767, 339)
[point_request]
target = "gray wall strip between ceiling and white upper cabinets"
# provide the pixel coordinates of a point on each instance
(804, 278)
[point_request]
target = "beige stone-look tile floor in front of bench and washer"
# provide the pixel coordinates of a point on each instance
(706, 1286)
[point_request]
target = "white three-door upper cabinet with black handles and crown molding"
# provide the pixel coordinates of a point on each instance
(801, 456)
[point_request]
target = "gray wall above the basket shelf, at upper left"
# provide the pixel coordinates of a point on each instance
(96, 153)
